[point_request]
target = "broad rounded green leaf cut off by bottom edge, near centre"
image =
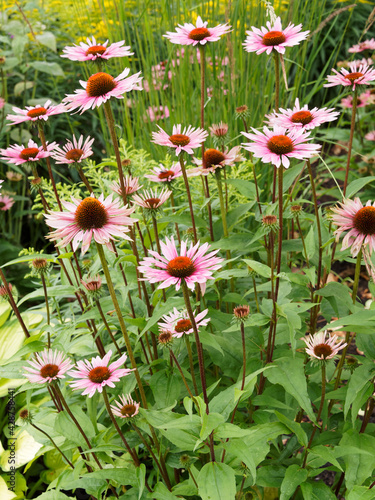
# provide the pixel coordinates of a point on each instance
(216, 481)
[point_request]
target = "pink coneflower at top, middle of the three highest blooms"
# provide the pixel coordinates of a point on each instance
(188, 34)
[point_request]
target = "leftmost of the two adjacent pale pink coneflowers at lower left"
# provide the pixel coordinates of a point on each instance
(48, 366)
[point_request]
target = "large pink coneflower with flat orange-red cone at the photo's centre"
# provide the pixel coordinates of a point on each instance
(192, 265)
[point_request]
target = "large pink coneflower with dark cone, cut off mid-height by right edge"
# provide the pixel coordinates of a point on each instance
(359, 220)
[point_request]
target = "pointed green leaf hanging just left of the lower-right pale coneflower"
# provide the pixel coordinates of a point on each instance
(290, 373)
